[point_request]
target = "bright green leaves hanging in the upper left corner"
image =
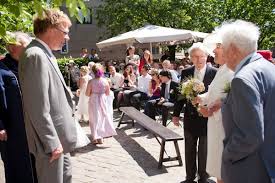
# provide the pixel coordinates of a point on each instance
(17, 15)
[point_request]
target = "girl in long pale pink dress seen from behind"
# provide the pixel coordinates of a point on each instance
(98, 89)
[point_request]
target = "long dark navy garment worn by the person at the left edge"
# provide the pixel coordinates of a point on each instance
(14, 151)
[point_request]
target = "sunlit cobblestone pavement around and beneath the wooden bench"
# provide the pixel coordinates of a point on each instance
(130, 157)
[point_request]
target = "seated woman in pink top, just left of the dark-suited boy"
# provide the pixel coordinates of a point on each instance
(154, 85)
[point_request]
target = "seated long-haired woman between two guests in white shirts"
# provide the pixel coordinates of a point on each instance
(128, 86)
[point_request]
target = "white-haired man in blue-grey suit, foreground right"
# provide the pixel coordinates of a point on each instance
(248, 111)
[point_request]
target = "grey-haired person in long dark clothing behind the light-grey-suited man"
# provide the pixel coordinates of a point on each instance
(13, 140)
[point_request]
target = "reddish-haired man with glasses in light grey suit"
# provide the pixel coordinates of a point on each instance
(47, 103)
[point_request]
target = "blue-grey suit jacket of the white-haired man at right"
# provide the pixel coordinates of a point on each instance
(249, 124)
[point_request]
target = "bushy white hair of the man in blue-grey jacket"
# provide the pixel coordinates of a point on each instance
(242, 34)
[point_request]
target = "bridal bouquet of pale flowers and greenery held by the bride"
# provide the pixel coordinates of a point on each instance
(190, 88)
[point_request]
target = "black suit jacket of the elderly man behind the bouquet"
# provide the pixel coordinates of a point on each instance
(193, 123)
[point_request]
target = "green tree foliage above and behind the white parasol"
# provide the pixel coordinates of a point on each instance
(119, 16)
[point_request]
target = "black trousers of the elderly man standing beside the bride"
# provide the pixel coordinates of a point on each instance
(191, 142)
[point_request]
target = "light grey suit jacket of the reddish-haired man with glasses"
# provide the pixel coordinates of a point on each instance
(47, 103)
